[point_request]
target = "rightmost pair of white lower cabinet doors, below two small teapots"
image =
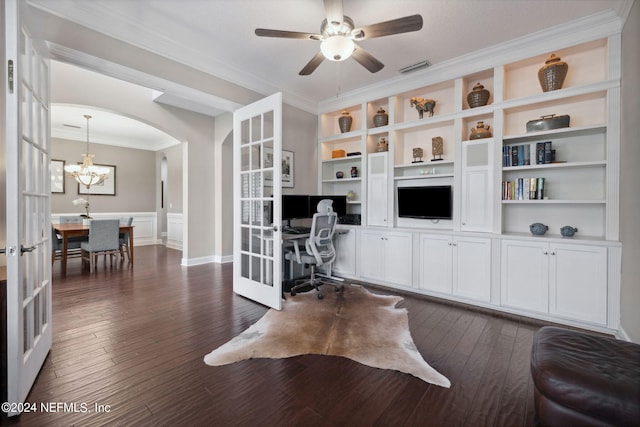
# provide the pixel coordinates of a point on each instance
(566, 280)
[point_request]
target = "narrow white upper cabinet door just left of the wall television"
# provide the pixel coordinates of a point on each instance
(377, 190)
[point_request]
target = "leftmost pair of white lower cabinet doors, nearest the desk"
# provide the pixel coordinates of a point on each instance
(386, 256)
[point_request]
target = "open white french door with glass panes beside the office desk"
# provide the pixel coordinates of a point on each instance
(257, 179)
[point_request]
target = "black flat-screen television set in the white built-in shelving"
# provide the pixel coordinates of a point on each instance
(428, 202)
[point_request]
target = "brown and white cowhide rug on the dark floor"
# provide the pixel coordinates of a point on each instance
(355, 323)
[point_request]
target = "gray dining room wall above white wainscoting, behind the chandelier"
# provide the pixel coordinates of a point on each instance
(135, 180)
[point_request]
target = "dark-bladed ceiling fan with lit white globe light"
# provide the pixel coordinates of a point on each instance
(338, 35)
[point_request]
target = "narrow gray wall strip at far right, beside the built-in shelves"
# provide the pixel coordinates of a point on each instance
(630, 176)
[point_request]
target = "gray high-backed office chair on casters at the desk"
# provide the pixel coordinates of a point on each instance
(319, 249)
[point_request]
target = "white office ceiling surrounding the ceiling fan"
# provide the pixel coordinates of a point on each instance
(217, 36)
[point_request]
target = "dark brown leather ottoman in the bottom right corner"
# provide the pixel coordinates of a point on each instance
(584, 379)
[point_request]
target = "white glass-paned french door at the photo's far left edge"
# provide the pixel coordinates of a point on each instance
(28, 219)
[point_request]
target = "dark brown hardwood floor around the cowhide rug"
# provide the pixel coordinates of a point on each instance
(133, 341)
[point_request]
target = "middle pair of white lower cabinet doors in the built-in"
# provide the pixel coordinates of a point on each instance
(456, 265)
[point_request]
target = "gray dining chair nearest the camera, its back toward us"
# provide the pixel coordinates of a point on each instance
(103, 239)
